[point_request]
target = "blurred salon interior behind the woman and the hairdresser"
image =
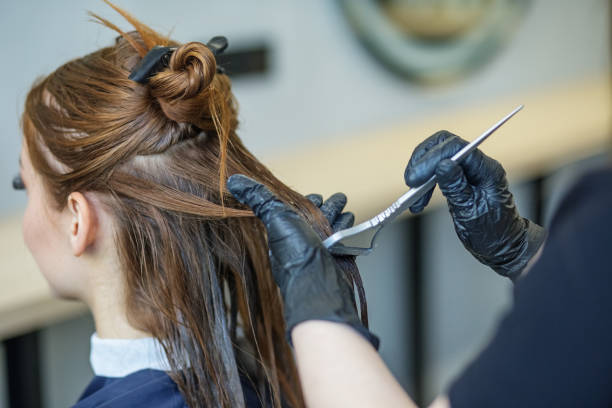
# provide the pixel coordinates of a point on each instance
(334, 95)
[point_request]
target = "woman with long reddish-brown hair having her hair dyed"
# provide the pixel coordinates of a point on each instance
(127, 212)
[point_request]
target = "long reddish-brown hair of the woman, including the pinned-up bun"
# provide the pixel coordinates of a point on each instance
(195, 261)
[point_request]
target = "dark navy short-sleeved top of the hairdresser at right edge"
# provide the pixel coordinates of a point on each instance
(554, 348)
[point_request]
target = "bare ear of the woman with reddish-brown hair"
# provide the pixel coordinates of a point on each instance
(83, 222)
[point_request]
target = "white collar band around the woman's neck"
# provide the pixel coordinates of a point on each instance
(121, 357)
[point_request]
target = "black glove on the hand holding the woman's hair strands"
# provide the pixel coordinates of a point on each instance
(310, 283)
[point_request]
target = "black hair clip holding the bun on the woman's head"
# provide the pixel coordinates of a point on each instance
(158, 58)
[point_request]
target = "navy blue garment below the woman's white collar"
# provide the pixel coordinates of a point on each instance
(145, 388)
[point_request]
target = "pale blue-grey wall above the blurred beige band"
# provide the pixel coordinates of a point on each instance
(322, 83)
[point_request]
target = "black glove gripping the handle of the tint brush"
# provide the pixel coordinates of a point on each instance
(481, 205)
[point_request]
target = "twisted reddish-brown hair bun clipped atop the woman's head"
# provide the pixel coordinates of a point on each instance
(191, 69)
